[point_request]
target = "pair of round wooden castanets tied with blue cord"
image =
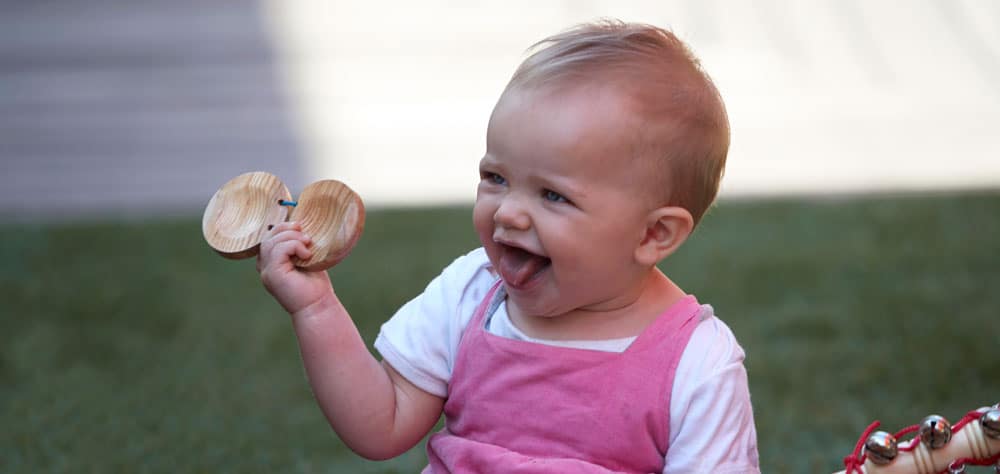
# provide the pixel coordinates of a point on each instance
(244, 208)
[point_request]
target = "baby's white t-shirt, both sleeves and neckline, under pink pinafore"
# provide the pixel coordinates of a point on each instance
(711, 419)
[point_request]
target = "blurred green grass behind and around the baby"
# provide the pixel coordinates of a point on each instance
(131, 347)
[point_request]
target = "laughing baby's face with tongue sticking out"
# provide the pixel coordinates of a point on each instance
(559, 207)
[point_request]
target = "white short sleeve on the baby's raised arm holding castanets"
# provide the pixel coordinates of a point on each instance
(421, 340)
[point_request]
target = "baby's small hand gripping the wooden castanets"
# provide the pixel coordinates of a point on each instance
(294, 288)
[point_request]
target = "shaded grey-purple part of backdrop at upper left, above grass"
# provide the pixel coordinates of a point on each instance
(110, 106)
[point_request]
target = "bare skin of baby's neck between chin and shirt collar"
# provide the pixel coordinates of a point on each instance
(582, 324)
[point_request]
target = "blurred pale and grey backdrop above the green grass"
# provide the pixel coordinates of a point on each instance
(110, 105)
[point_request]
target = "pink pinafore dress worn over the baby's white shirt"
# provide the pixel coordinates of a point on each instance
(522, 407)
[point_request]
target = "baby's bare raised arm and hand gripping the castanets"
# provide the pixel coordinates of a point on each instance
(374, 410)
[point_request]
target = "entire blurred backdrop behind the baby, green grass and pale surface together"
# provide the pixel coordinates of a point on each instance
(854, 249)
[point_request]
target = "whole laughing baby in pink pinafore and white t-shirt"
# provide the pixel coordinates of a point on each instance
(559, 346)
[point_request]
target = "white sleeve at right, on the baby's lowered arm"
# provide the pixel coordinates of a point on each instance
(711, 418)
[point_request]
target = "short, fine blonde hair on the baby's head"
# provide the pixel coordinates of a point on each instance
(684, 121)
